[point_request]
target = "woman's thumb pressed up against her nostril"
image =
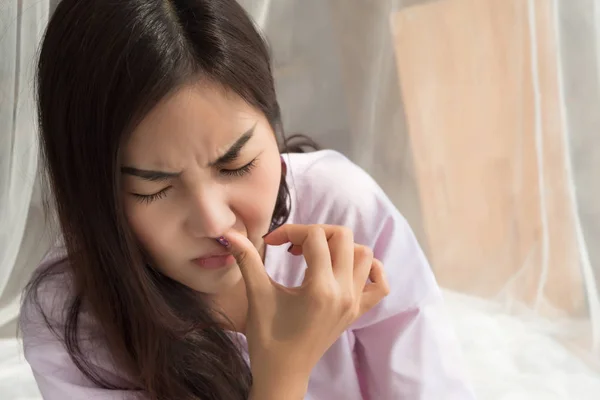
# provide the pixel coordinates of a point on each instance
(249, 261)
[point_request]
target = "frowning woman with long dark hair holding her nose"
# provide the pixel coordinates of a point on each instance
(159, 126)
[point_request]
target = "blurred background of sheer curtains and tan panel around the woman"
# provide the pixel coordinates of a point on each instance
(480, 120)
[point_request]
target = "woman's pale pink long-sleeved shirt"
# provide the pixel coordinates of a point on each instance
(402, 349)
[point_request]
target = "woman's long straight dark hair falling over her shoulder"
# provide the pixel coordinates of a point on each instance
(103, 65)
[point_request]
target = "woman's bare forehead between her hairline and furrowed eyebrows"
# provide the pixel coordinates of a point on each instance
(199, 120)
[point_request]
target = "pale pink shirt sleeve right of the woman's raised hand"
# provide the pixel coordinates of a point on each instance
(405, 346)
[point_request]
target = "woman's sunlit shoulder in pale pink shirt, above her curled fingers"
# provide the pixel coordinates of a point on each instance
(328, 188)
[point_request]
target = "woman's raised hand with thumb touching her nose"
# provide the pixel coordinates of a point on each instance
(289, 329)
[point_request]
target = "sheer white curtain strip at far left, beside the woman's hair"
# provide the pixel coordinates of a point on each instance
(22, 238)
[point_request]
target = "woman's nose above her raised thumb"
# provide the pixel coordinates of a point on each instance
(210, 214)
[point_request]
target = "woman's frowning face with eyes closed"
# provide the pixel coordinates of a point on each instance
(201, 162)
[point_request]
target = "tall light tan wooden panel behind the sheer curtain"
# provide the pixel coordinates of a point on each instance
(469, 90)
